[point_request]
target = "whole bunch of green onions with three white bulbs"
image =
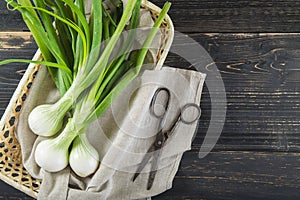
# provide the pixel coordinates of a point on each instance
(83, 70)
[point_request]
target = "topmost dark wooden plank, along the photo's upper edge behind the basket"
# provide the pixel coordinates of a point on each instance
(210, 16)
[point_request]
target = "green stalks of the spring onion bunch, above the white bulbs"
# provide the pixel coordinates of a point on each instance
(99, 74)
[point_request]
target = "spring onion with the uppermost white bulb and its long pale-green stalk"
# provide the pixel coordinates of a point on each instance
(83, 80)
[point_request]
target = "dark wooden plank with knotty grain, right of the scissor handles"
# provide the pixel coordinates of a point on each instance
(261, 77)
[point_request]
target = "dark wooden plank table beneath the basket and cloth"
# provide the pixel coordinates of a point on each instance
(256, 47)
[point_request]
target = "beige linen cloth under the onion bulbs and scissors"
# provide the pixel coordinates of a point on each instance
(122, 136)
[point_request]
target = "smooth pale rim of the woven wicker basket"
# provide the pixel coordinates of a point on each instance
(30, 70)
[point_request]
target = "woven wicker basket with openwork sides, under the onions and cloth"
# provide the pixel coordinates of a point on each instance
(12, 170)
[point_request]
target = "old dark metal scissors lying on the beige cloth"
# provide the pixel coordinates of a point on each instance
(162, 136)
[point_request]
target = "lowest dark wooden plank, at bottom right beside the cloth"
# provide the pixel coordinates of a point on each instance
(237, 175)
